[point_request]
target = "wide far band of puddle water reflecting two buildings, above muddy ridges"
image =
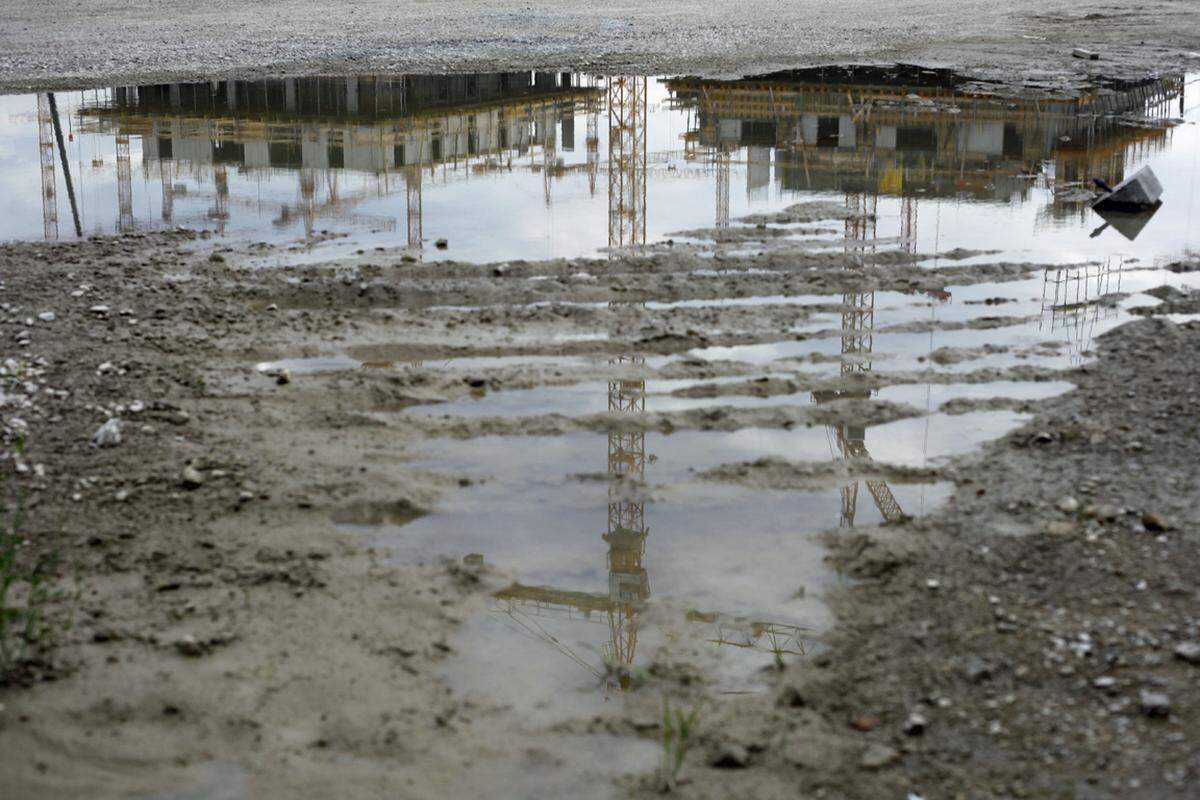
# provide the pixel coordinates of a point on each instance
(565, 165)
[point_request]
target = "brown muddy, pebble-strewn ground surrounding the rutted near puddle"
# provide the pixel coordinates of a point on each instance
(214, 634)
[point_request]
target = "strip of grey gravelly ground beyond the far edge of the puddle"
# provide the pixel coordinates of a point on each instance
(124, 43)
